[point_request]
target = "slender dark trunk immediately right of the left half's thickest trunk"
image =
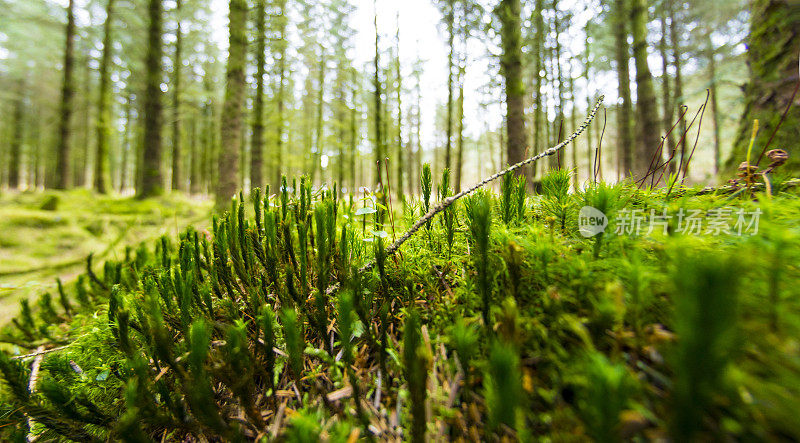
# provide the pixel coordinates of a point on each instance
(257, 149)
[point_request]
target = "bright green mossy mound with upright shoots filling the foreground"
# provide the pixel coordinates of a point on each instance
(498, 320)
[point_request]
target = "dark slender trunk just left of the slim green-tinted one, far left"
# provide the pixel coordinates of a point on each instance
(63, 166)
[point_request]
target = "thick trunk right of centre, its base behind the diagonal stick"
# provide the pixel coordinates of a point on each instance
(511, 65)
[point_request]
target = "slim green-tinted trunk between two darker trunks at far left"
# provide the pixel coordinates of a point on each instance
(104, 107)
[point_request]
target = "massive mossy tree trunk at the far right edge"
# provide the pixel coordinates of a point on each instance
(774, 43)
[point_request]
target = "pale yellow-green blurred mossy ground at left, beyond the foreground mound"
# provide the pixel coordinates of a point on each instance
(49, 235)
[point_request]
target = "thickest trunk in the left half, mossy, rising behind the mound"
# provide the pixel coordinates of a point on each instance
(232, 110)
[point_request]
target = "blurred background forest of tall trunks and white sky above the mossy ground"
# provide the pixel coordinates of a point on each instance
(210, 96)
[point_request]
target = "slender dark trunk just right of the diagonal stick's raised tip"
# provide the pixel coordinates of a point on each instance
(622, 52)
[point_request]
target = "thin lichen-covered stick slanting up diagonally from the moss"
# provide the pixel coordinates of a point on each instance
(391, 249)
